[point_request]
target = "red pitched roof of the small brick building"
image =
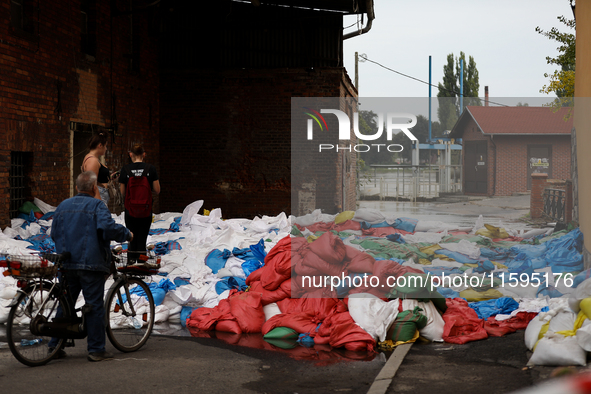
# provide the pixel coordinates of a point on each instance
(516, 120)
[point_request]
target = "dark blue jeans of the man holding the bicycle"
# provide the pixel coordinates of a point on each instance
(92, 286)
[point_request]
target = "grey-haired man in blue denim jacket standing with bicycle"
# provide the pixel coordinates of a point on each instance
(83, 226)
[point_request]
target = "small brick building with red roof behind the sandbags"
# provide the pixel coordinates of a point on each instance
(503, 146)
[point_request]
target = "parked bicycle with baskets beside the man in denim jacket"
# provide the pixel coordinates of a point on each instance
(32, 320)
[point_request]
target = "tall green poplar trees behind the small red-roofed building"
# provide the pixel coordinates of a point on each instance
(448, 93)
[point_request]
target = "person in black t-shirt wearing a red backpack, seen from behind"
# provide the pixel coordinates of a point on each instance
(139, 226)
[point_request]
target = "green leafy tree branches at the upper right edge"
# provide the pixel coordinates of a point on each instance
(562, 82)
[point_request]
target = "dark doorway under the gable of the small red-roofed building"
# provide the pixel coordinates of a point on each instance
(475, 167)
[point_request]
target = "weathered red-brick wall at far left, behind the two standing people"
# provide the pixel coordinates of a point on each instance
(37, 69)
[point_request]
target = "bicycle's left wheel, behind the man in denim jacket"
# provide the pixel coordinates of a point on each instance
(32, 308)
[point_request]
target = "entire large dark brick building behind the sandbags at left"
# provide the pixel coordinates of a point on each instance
(205, 86)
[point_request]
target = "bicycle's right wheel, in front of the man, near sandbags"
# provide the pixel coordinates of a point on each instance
(130, 314)
